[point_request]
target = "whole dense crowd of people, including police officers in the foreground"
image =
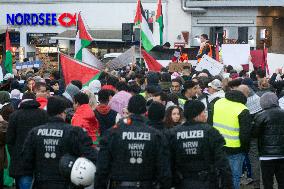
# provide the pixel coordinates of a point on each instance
(144, 129)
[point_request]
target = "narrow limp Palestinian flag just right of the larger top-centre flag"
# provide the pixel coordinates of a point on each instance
(159, 20)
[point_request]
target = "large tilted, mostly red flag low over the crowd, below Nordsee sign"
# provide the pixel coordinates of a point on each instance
(74, 70)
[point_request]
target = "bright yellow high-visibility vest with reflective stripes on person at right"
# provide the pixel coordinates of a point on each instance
(226, 121)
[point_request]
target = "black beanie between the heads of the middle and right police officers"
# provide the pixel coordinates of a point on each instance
(156, 111)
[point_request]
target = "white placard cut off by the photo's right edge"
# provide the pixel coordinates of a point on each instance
(275, 61)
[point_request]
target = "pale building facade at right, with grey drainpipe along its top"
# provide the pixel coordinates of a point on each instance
(257, 22)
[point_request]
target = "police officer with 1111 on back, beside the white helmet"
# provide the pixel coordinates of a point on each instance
(46, 144)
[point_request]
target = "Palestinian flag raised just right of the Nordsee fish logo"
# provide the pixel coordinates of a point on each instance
(83, 38)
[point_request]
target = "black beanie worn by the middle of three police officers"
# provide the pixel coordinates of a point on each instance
(137, 104)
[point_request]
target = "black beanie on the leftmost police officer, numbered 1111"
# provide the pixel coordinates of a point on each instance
(56, 105)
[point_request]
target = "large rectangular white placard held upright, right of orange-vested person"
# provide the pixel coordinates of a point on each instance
(235, 54)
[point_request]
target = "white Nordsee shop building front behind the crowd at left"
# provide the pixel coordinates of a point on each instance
(103, 18)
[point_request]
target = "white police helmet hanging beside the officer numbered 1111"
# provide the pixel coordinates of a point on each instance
(83, 172)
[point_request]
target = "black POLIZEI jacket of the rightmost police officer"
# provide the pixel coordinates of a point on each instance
(208, 155)
